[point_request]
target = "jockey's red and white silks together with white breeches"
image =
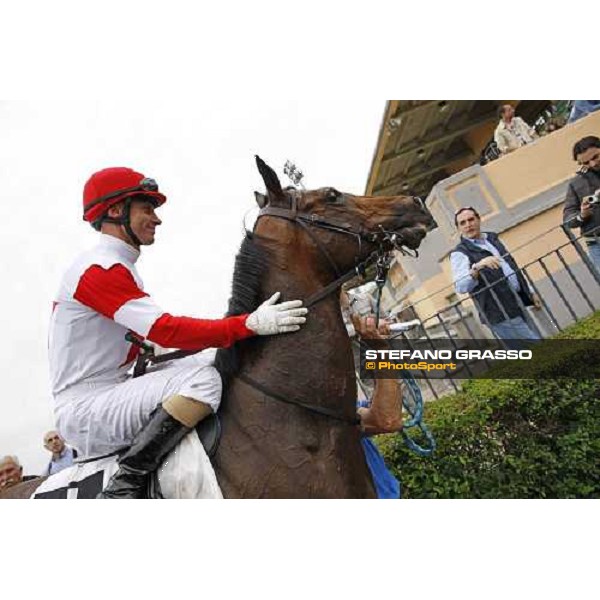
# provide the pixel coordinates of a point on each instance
(98, 407)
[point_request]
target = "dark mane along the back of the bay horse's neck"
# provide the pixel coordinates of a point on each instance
(250, 263)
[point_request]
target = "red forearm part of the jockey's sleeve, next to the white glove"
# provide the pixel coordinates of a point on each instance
(196, 334)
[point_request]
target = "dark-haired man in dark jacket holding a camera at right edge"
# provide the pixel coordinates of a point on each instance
(583, 195)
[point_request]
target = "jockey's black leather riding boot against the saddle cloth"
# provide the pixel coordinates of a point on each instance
(150, 446)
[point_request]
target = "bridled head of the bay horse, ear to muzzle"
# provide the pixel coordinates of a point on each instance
(381, 222)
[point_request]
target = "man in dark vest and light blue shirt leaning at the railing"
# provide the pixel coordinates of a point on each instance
(483, 268)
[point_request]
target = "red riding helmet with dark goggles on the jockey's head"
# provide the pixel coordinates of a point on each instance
(109, 186)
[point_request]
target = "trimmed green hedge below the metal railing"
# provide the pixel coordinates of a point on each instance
(509, 439)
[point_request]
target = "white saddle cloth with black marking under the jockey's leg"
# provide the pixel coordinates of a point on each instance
(186, 473)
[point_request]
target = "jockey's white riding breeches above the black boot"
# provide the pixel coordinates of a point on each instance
(100, 418)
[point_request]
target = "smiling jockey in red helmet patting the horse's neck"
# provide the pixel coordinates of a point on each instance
(98, 407)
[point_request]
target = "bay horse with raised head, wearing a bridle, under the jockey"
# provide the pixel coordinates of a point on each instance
(288, 413)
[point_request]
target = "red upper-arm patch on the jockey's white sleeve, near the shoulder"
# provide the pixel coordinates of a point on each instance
(106, 290)
